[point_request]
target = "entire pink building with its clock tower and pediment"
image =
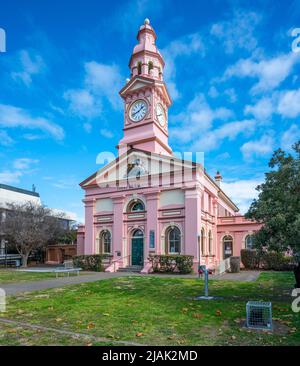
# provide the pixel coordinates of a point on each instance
(149, 201)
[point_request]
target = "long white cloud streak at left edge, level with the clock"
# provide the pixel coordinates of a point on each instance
(12, 117)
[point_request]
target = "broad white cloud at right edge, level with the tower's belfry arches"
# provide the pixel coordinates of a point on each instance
(269, 72)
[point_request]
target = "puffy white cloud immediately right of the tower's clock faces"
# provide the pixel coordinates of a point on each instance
(197, 118)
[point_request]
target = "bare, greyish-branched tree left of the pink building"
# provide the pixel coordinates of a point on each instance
(29, 227)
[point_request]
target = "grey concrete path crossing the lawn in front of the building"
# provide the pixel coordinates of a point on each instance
(15, 288)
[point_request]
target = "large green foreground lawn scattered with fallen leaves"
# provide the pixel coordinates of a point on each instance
(159, 311)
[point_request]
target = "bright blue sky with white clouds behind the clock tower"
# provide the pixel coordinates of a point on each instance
(230, 69)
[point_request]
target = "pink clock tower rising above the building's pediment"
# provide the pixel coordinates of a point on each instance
(146, 98)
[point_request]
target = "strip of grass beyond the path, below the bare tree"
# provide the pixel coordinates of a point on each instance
(15, 276)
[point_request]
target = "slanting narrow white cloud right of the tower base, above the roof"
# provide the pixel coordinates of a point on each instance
(214, 138)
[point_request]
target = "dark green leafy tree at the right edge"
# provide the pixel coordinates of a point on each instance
(278, 207)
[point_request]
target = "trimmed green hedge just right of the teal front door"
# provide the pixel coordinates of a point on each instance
(172, 263)
